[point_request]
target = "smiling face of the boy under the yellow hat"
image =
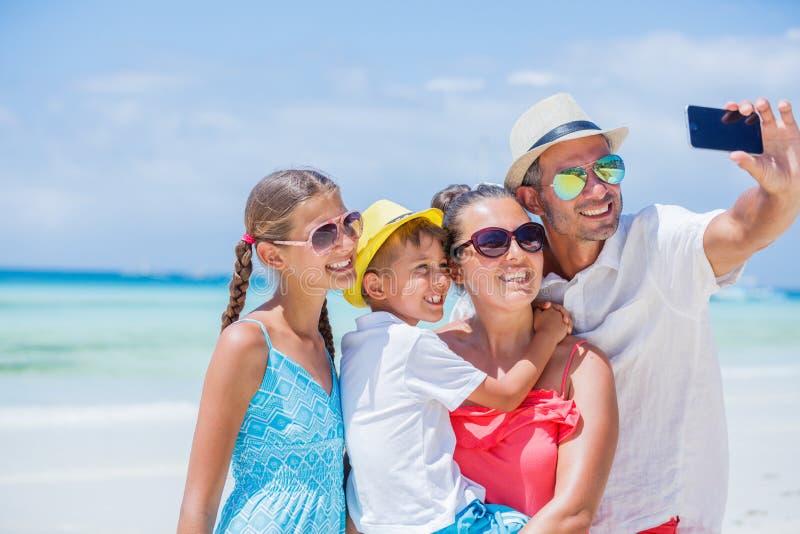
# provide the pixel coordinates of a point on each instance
(416, 285)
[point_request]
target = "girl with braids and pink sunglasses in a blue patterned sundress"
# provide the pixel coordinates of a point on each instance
(271, 398)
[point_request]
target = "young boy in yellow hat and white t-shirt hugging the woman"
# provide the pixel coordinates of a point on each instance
(399, 383)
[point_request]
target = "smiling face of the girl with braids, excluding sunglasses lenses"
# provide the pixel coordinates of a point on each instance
(332, 270)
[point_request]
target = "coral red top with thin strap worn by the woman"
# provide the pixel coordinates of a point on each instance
(514, 454)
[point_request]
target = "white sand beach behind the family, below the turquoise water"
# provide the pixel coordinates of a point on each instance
(121, 467)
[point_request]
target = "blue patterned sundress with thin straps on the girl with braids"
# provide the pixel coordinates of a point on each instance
(288, 458)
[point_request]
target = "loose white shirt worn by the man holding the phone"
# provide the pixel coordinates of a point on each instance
(644, 302)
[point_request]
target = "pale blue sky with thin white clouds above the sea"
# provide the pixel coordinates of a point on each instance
(130, 135)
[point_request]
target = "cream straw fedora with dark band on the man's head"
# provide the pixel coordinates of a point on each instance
(555, 119)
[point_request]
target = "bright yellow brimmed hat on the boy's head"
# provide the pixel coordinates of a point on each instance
(381, 219)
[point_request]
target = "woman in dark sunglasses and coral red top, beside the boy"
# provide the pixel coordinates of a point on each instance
(551, 457)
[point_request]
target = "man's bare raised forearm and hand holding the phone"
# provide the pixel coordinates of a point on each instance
(764, 212)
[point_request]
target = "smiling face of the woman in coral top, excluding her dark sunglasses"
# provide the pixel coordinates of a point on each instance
(509, 281)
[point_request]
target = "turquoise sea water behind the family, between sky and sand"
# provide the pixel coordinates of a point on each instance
(77, 337)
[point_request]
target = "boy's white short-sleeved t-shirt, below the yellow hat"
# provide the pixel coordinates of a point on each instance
(398, 384)
